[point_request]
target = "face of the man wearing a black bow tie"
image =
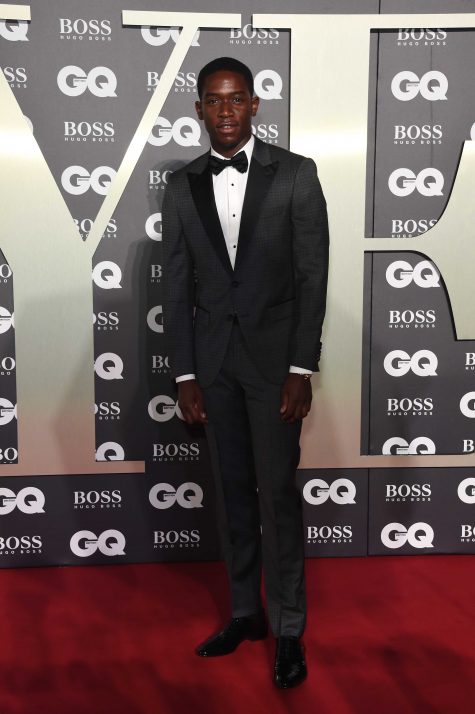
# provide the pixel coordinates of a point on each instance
(226, 107)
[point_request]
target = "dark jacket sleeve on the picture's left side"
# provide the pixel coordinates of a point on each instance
(178, 294)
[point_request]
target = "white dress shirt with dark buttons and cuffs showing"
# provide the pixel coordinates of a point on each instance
(229, 188)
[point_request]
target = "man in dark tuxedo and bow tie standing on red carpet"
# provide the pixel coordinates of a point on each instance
(245, 241)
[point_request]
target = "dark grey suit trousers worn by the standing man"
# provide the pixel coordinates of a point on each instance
(255, 456)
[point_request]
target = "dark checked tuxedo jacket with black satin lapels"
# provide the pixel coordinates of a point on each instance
(278, 286)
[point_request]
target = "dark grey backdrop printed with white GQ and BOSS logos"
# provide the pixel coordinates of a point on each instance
(83, 80)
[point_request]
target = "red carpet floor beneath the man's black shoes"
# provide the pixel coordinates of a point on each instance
(388, 635)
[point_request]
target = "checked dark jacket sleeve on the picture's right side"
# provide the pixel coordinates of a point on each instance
(310, 265)
